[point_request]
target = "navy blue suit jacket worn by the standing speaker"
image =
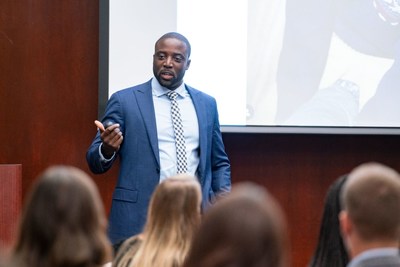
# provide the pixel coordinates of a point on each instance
(139, 159)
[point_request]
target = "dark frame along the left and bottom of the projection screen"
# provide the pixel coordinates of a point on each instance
(103, 92)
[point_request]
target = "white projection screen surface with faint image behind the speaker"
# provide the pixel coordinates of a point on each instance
(272, 63)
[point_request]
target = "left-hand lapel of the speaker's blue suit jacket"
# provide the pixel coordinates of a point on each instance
(146, 106)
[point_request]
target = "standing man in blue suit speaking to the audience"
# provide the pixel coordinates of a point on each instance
(142, 137)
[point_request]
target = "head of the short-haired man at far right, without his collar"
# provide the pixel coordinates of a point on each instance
(371, 203)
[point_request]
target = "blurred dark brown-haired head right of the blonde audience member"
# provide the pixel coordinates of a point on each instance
(247, 228)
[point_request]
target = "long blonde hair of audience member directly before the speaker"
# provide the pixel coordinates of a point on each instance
(173, 217)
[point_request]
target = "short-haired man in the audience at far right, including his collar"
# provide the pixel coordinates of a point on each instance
(370, 219)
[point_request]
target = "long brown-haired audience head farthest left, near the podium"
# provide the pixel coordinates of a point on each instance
(62, 223)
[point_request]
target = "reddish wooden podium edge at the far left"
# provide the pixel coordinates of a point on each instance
(10, 202)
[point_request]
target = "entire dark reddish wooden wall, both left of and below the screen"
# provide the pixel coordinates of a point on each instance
(48, 102)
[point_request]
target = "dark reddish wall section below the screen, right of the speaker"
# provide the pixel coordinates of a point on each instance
(298, 169)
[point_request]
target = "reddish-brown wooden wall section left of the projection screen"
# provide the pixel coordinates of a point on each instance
(48, 85)
